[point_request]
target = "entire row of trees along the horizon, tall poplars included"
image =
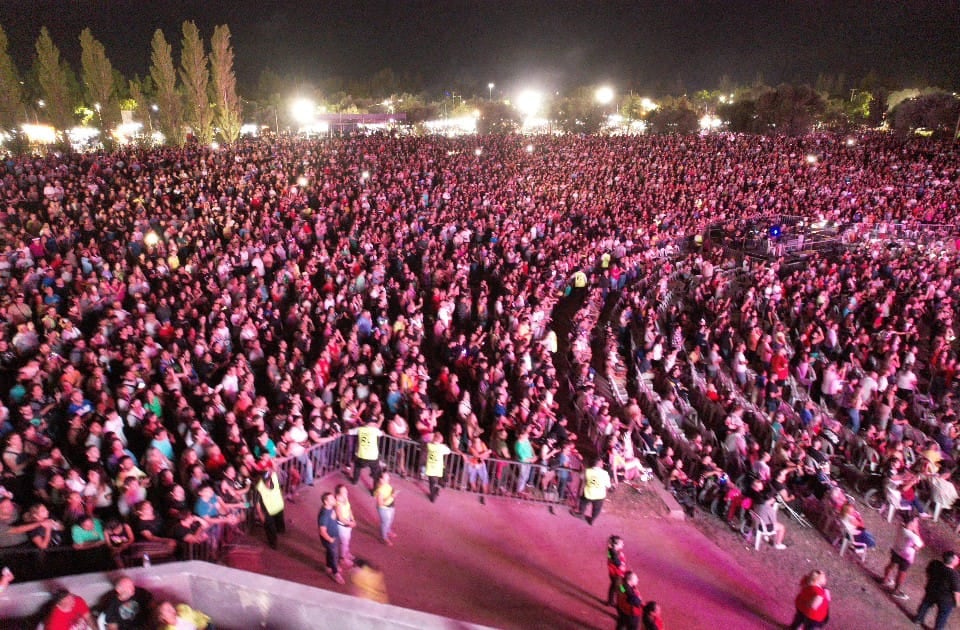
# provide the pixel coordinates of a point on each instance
(198, 96)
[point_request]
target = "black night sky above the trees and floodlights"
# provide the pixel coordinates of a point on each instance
(553, 44)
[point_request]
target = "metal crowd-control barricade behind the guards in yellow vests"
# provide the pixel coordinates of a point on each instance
(534, 482)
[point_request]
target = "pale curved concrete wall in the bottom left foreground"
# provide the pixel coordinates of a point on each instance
(233, 599)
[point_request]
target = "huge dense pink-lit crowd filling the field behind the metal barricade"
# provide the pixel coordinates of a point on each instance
(173, 320)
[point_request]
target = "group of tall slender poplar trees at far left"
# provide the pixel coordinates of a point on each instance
(197, 96)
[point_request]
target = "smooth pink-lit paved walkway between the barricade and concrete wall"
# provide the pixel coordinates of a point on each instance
(513, 565)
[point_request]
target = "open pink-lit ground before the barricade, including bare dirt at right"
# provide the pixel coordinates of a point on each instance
(512, 565)
